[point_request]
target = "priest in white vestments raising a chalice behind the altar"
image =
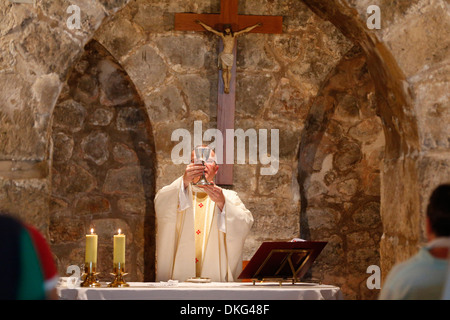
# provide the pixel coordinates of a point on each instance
(200, 230)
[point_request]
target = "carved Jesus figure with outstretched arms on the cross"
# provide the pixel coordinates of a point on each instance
(226, 57)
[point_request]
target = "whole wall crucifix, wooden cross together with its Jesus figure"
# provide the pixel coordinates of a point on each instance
(226, 21)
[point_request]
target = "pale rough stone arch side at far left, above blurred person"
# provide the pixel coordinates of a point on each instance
(41, 51)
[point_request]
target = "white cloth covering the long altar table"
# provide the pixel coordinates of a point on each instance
(204, 291)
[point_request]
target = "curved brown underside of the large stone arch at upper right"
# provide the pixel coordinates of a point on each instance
(394, 97)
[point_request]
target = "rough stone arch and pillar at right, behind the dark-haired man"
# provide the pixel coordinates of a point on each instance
(402, 71)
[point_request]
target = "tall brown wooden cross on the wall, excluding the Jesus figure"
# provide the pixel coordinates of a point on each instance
(226, 102)
